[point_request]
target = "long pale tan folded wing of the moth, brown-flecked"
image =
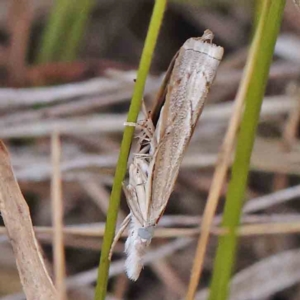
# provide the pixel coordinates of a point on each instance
(193, 73)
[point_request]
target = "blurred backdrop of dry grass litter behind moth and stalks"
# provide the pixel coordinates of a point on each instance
(70, 66)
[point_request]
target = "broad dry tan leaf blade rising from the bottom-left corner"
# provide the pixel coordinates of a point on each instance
(34, 277)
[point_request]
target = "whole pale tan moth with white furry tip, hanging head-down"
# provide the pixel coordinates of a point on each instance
(164, 137)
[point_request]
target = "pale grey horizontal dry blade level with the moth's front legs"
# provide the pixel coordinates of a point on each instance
(15, 127)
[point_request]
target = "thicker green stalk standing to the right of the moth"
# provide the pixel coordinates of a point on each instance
(253, 88)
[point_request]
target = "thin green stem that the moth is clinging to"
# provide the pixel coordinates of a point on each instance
(155, 24)
